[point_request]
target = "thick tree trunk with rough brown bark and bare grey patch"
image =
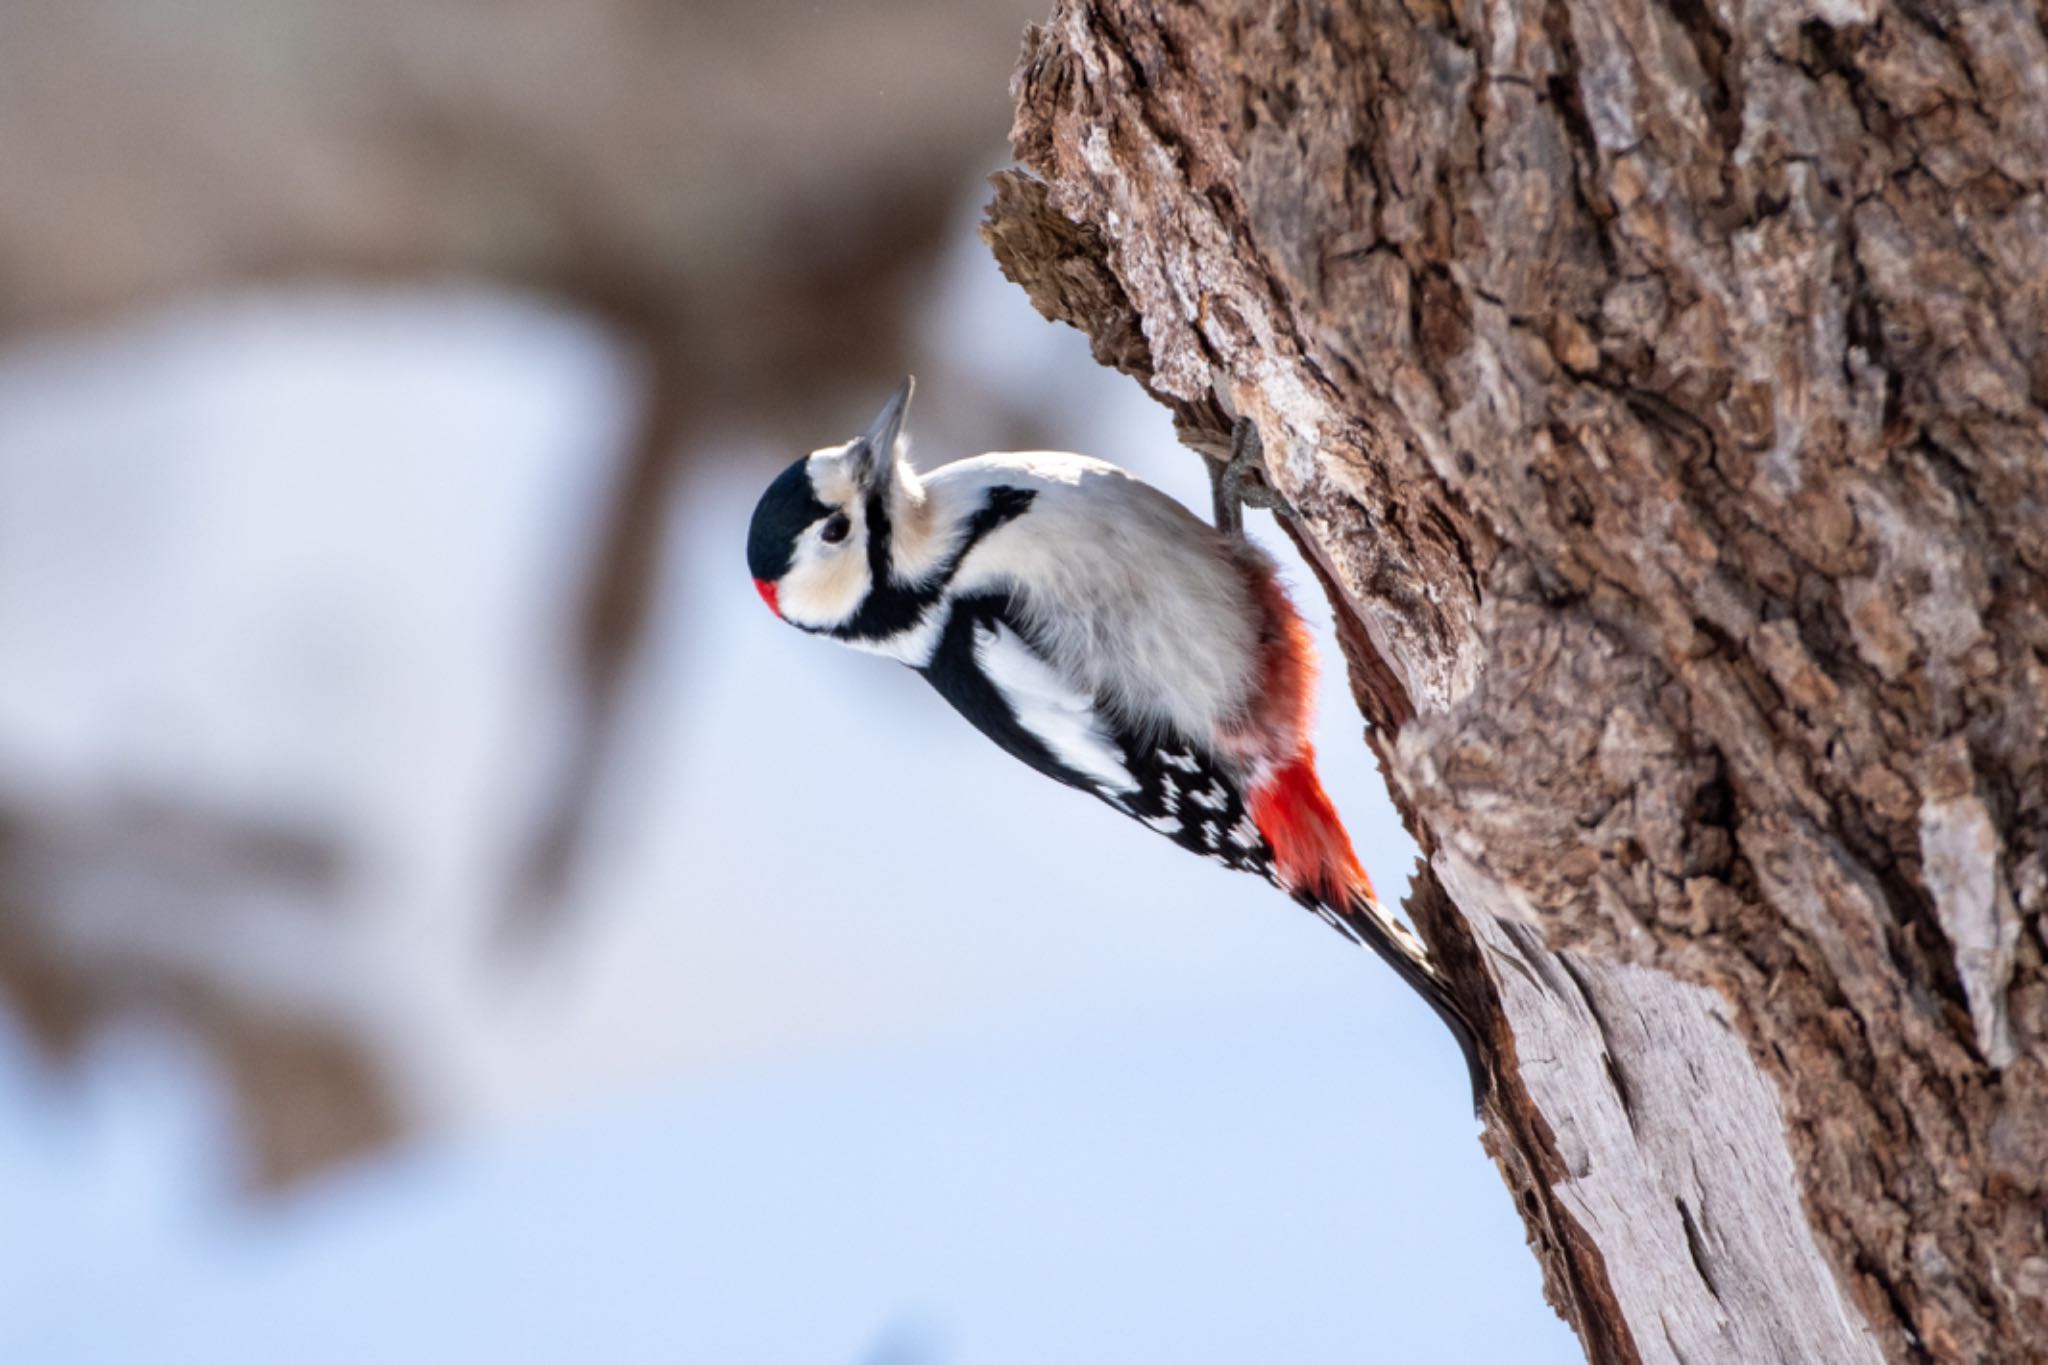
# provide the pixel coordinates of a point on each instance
(1664, 394)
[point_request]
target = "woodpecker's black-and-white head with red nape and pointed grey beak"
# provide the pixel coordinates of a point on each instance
(822, 531)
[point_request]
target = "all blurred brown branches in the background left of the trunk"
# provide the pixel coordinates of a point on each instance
(740, 193)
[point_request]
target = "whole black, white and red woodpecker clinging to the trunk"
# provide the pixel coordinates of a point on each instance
(1097, 631)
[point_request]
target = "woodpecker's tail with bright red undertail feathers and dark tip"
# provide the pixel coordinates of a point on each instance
(1316, 863)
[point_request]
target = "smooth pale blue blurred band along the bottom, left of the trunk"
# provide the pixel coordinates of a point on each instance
(1258, 1184)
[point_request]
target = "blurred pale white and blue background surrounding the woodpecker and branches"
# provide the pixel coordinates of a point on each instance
(867, 1043)
